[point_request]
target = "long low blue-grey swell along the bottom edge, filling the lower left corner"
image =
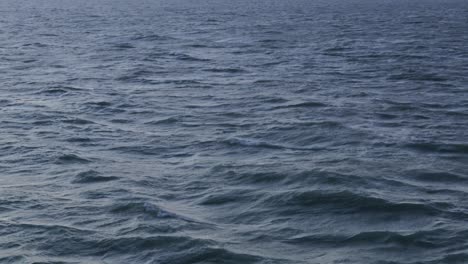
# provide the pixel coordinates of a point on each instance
(64, 242)
